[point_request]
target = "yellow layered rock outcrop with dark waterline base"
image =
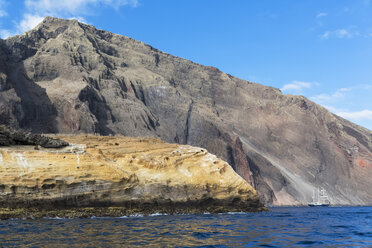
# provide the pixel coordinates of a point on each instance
(119, 176)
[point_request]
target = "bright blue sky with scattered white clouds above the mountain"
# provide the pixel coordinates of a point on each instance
(319, 49)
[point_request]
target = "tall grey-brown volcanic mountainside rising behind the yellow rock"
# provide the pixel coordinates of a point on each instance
(68, 77)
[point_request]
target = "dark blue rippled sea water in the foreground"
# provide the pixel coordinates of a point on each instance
(282, 227)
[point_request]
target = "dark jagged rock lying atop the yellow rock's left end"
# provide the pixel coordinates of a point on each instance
(9, 136)
